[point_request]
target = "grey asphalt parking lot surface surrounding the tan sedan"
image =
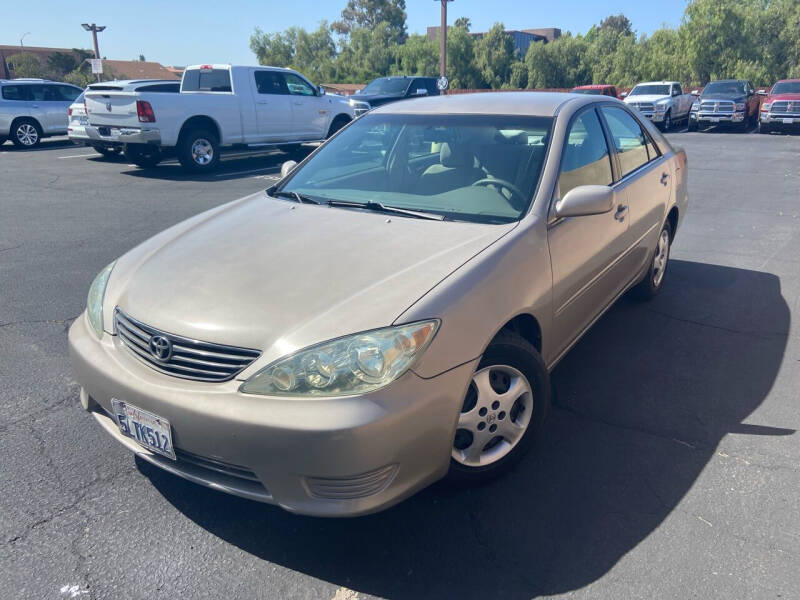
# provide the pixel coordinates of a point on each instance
(670, 467)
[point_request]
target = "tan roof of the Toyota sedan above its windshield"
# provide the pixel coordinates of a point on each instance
(539, 104)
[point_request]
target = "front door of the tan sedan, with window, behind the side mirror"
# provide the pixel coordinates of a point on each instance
(586, 252)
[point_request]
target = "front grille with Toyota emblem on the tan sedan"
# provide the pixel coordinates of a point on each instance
(185, 358)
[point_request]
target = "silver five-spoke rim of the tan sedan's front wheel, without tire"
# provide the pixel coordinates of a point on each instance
(494, 417)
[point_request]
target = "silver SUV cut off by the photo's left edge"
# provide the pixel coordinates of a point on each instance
(33, 109)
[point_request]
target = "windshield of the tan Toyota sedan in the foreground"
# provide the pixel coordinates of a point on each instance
(481, 168)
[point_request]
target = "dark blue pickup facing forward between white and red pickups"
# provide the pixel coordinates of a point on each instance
(731, 101)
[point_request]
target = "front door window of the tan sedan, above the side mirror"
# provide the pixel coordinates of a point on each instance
(585, 160)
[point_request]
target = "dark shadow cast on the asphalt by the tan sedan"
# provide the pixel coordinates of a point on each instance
(643, 401)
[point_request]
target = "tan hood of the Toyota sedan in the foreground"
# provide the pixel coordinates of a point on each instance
(278, 276)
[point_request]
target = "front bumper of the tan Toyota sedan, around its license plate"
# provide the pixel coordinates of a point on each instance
(326, 457)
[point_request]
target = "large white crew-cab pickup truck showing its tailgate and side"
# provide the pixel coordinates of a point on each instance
(219, 106)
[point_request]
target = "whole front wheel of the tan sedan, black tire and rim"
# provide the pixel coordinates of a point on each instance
(495, 428)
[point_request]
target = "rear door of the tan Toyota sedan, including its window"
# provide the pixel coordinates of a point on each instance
(645, 177)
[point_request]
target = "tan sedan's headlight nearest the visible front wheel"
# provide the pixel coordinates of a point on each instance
(354, 364)
